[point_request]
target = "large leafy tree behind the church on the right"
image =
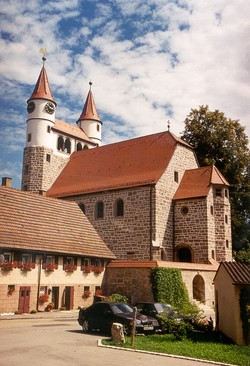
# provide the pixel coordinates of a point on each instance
(223, 142)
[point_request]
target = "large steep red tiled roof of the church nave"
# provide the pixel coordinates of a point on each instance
(130, 163)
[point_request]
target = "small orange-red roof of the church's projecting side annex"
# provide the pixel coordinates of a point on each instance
(197, 182)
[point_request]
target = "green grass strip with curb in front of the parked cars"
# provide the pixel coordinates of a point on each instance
(205, 346)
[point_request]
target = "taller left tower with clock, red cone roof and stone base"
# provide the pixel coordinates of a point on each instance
(38, 153)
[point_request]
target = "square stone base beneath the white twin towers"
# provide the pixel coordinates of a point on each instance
(40, 168)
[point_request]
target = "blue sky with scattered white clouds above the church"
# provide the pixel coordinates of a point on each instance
(150, 62)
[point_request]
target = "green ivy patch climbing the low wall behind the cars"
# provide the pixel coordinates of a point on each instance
(168, 287)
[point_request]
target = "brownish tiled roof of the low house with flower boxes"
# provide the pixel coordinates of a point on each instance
(32, 222)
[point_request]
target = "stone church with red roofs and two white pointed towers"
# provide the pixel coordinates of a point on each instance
(146, 198)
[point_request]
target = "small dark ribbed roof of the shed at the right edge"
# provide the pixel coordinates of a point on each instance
(239, 272)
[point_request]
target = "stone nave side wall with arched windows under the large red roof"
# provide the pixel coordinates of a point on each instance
(128, 237)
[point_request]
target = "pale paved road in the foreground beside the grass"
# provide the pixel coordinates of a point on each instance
(59, 342)
